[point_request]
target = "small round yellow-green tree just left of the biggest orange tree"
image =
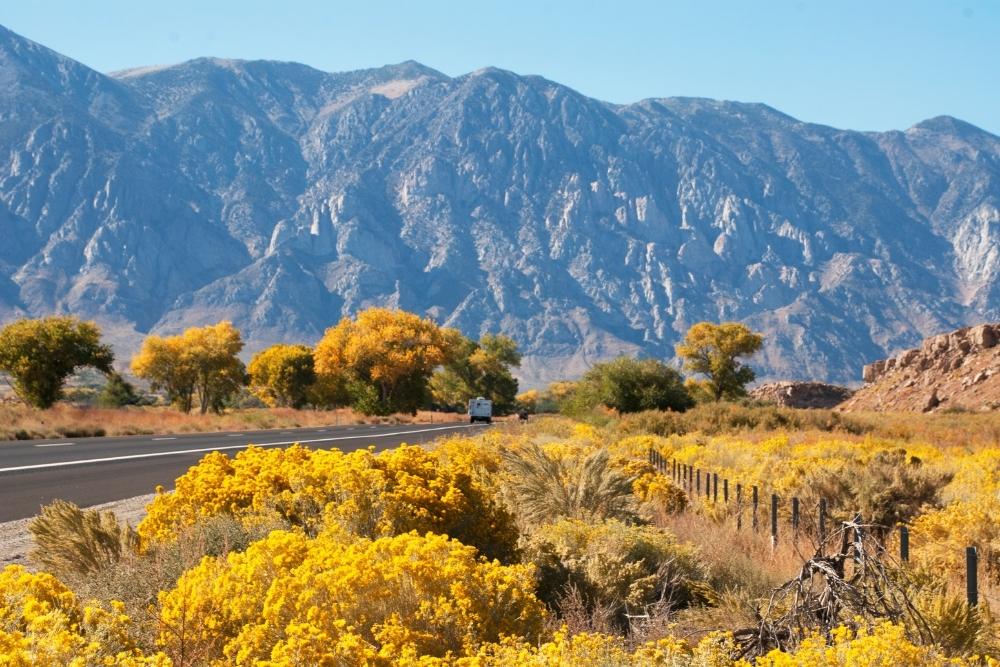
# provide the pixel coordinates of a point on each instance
(282, 375)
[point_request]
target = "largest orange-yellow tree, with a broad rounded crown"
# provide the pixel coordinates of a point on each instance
(385, 357)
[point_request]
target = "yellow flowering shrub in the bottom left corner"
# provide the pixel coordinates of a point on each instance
(43, 624)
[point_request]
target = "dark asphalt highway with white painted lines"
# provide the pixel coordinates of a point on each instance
(89, 471)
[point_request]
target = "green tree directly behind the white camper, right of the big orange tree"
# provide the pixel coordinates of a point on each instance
(479, 369)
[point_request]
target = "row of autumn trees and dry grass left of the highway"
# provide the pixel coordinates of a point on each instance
(381, 366)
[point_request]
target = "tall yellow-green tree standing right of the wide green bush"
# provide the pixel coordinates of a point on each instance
(713, 350)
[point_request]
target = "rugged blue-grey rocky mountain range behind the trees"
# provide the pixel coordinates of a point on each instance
(283, 198)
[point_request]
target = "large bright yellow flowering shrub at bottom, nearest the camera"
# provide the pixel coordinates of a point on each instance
(346, 601)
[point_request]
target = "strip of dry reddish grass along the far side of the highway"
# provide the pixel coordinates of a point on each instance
(20, 422)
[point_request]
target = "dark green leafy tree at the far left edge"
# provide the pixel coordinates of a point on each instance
(40, 354)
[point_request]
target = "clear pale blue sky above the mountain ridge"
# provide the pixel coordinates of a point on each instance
(871, 65)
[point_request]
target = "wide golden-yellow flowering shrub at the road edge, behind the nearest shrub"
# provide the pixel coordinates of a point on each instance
(368, 494)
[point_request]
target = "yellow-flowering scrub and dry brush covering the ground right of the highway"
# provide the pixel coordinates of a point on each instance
(555, 542)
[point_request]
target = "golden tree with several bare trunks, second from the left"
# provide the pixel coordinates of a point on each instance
(200, 362)
